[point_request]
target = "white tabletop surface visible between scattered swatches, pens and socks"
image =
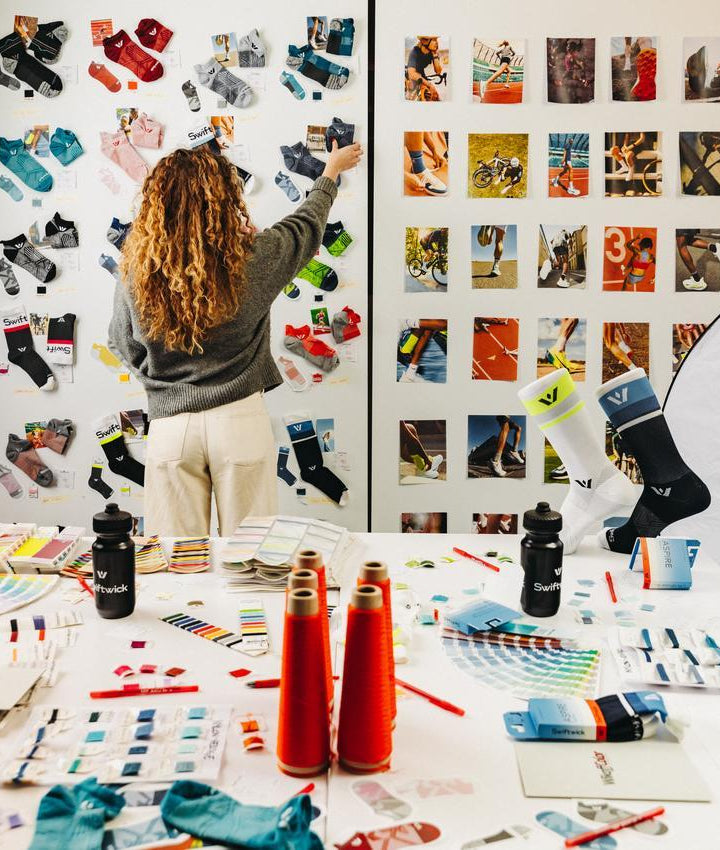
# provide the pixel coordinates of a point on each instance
(428, 742)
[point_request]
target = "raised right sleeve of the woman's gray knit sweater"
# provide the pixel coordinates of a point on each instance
(283, 249)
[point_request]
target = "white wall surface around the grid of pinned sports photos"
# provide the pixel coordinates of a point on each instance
(463, 20)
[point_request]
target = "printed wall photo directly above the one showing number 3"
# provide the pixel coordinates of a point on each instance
(633, 164)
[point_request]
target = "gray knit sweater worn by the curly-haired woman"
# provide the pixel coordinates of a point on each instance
(236, 361)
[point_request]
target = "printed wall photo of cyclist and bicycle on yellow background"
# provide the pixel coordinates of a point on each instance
(497, 165)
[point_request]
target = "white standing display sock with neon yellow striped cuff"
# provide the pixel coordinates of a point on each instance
(597, 488)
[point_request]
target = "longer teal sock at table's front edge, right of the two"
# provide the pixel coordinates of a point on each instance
(209, 814)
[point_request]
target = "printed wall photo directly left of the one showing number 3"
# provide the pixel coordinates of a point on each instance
(562, 256)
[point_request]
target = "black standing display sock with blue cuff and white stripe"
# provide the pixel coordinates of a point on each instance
(672, 490)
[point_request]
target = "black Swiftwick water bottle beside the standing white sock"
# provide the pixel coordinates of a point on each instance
(541, 558)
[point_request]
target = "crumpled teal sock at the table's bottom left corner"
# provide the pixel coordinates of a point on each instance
(75, 817)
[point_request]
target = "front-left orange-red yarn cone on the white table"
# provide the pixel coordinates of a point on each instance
(303, 744)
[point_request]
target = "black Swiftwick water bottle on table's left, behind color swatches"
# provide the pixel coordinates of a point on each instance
(113, 563)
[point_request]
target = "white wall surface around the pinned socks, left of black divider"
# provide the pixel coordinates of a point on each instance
(275, 118)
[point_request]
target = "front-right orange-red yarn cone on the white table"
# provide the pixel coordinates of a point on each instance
(364, 740)
